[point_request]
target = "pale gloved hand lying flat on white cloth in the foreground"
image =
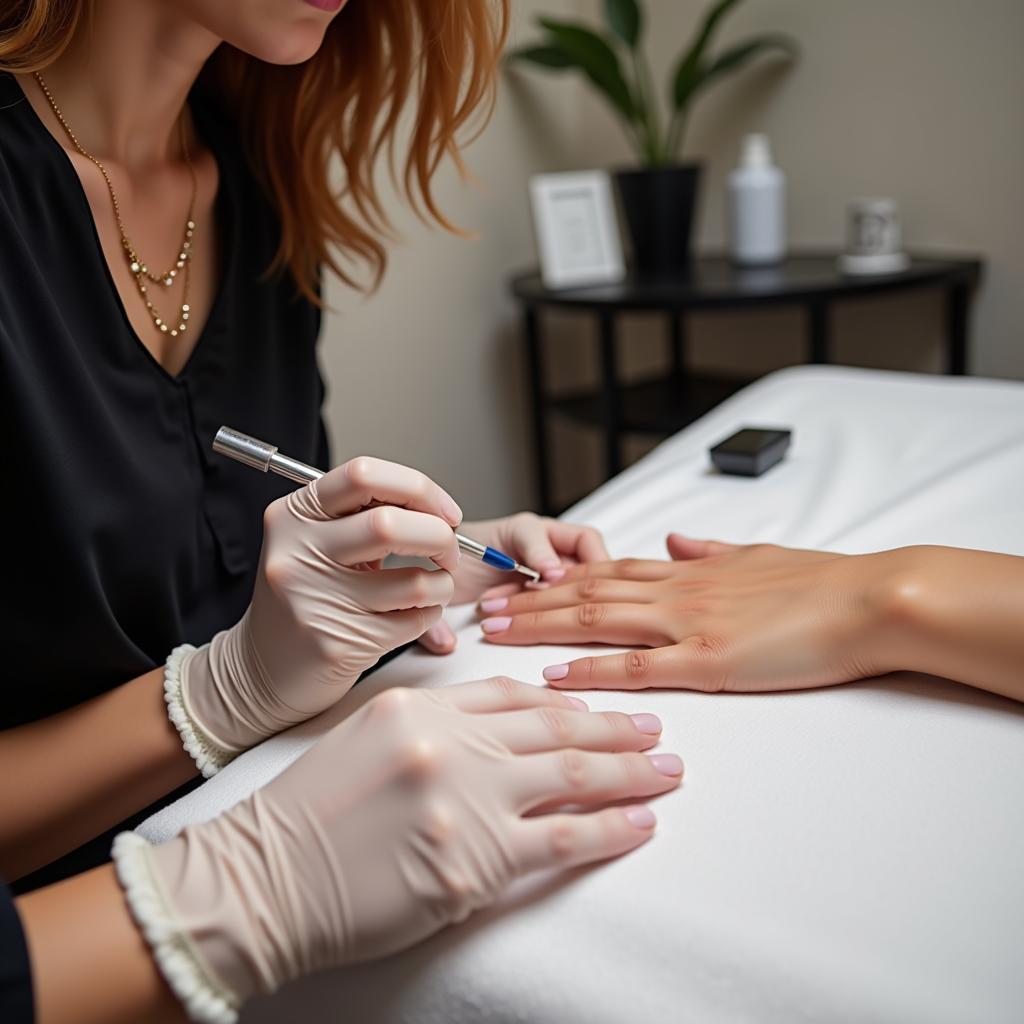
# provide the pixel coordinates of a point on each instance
(417, 810)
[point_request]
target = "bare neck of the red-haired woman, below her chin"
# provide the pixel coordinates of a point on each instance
(123, 80)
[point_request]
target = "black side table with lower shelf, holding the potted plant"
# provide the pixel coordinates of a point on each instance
(665, 405)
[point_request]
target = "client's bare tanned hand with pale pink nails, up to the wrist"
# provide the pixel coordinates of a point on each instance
(718, 618)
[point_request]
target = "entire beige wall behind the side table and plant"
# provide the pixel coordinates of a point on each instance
(918, 100)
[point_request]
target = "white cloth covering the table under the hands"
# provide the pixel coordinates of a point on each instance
(845, 855)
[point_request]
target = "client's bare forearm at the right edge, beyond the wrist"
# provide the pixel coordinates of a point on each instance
(956, 614)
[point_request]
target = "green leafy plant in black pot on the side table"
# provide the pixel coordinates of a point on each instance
(659, 198)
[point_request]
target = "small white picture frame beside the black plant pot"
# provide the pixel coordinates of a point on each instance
(577, 230)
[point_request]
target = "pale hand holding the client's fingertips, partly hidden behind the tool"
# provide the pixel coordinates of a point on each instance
(546, 545)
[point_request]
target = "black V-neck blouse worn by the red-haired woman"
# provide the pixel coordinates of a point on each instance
(123, 534)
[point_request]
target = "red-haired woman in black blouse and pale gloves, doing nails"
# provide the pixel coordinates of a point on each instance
(165, 211)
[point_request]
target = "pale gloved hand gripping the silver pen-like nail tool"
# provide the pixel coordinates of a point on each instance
(323, 610)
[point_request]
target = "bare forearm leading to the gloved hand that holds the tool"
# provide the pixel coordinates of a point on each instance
(71, 777)
